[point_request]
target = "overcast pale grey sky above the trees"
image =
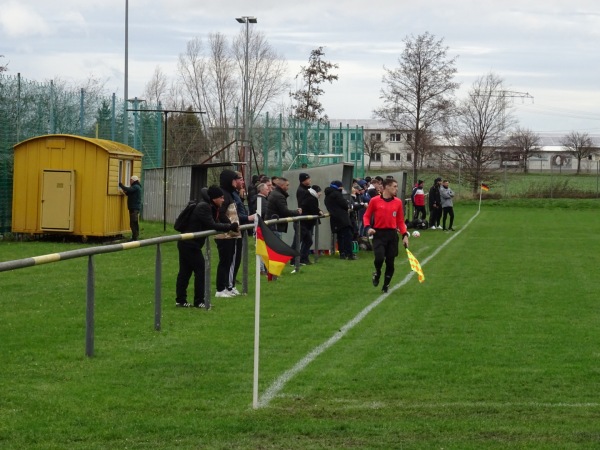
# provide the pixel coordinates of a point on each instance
(548, 48)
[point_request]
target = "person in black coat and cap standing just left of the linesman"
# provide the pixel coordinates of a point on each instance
(339, 218)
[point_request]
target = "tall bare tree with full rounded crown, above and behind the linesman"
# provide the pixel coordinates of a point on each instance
(418, 94)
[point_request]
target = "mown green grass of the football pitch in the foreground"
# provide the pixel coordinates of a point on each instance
(499, 348)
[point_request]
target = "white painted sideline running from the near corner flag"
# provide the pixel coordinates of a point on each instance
(273, 390)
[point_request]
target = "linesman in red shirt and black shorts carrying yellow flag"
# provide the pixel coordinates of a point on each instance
(384, 220)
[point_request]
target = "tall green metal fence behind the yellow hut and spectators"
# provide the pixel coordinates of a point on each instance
(29, 109)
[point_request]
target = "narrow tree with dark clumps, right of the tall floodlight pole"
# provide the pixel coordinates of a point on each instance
(308, 106)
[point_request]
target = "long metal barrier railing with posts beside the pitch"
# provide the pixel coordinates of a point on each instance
(91, 251)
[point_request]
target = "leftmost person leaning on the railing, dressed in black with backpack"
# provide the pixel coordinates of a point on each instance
(191, 260)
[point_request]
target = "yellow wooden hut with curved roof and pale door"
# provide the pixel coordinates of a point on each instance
(69, 184)
